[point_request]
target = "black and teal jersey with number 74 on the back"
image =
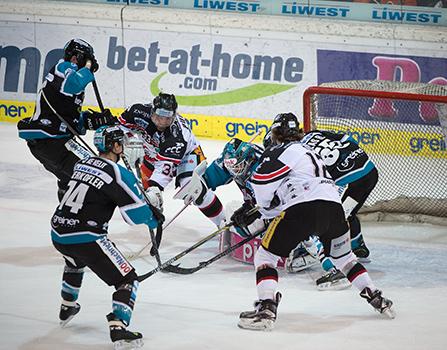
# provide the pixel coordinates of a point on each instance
(96, 188)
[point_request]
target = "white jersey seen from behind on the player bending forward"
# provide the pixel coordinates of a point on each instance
(289, 174)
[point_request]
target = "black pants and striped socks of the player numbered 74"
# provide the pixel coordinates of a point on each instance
(107, 262)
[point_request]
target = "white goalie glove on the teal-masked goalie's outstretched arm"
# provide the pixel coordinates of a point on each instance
(195, 190)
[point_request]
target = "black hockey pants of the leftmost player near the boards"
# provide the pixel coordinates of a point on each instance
(58, 156)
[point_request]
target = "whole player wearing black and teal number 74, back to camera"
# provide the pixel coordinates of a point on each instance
(79, 232)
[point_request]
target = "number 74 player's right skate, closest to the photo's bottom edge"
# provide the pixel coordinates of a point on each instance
(122, 338)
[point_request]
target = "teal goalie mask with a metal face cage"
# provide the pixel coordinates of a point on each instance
(240, 159)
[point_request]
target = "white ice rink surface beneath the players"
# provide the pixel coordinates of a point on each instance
(200, 311)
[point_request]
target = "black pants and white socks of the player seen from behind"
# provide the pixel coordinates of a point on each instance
(296, 224)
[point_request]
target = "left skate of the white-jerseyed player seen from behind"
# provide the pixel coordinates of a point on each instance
(263, 317)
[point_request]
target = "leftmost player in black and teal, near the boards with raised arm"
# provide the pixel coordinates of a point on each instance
(59, 104)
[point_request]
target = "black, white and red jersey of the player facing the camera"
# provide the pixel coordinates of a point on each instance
(164, 150)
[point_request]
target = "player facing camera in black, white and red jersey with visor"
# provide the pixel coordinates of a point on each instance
(170, 150)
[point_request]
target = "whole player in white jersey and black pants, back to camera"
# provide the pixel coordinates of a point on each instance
(293, 187)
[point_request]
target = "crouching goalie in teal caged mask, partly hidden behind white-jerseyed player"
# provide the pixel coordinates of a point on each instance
(237, 163)
